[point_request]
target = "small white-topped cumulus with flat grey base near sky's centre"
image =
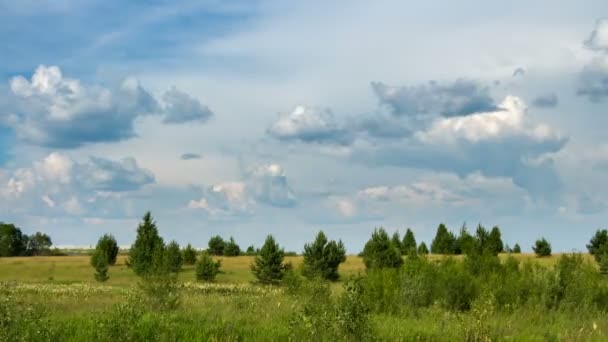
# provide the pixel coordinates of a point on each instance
(309, 124)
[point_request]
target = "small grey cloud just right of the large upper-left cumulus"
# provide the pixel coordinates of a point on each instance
(181, 107)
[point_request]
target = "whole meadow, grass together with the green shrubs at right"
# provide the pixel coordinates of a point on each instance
(56, 298)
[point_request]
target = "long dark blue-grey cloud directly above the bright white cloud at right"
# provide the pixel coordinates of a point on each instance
(462, 97)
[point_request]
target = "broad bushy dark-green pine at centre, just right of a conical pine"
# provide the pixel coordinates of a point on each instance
(322, 258)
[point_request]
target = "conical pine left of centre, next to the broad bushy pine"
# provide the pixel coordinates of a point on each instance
(268, 266)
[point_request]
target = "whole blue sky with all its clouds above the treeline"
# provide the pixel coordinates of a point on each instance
(249, 118)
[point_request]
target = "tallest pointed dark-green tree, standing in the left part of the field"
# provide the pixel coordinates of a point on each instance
(146, 252)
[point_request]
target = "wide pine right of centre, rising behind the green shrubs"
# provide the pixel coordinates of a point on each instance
(379, 251)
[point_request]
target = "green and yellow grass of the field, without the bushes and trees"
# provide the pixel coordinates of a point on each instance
(56, 298)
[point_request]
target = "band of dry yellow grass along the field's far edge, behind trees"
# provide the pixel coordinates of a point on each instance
(76, 269)
